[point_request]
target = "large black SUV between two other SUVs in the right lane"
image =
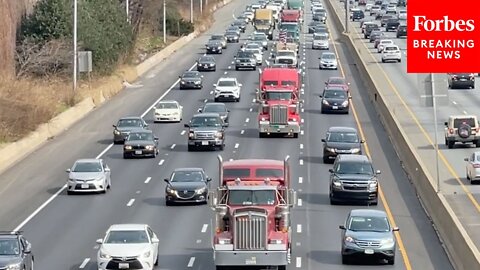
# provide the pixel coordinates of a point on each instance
(353, 179)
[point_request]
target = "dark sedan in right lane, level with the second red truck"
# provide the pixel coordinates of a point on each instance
(335, 99)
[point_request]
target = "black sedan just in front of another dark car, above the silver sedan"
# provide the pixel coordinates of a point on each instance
(140, 144)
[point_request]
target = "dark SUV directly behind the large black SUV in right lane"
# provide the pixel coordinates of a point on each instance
(341, 140)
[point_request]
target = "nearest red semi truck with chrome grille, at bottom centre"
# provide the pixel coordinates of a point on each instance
(252, 208)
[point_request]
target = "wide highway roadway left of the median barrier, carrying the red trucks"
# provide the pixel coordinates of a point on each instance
(63, 230)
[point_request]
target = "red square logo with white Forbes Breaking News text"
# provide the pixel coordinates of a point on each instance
(443, 38)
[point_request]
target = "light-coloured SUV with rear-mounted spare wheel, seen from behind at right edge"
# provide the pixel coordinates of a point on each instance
(462, 128)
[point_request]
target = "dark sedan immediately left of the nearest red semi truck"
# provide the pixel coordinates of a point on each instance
(187, 185)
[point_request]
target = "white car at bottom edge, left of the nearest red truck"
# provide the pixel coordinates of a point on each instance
(128, 246)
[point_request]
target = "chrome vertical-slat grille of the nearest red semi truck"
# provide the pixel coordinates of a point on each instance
(250, 232)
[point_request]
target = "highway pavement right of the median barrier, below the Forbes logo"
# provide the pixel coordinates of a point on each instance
(463, 197)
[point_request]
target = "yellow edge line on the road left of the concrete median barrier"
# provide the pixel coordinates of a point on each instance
(401, 246)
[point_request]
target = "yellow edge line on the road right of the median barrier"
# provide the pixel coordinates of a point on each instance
(424, 132)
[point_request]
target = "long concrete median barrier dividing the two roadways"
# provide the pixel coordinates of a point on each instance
(461, 250)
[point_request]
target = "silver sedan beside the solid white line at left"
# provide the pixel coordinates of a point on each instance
(88, 175)
